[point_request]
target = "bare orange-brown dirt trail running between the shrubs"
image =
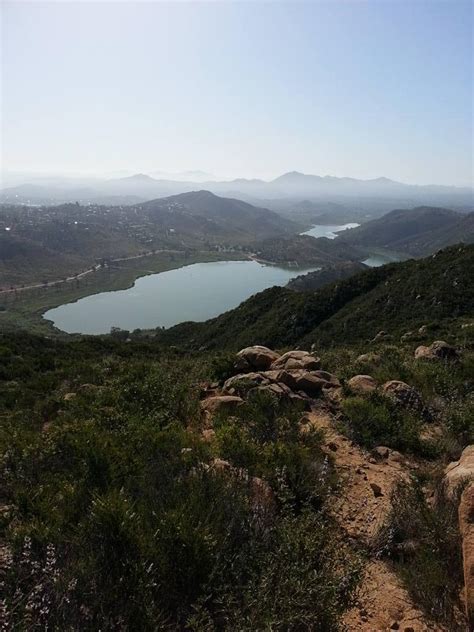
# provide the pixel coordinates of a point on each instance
(383, 603)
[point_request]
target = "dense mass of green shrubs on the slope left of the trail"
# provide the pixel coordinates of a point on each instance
(115, 518)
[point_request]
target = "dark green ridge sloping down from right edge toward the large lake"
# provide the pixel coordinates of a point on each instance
(394, 297)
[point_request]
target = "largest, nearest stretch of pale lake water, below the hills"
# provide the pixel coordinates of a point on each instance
(195, 292)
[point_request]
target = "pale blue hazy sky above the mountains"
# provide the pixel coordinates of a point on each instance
(240, 89)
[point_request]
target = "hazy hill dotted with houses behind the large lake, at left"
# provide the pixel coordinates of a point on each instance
(48, 243)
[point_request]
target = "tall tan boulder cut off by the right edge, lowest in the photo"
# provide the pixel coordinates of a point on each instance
(466, 527)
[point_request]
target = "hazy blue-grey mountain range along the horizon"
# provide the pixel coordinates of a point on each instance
(294, 187)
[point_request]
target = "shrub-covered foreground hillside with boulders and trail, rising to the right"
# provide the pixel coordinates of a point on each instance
(151, 485)
